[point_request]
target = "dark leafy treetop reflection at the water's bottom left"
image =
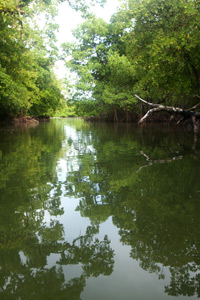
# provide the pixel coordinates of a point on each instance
(34, 280)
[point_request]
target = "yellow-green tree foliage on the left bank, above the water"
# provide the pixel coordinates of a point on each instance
(27, 82)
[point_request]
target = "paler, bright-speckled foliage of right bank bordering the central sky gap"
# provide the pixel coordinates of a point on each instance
(89, 58)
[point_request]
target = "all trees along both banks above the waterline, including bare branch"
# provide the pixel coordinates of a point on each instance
(148, 48)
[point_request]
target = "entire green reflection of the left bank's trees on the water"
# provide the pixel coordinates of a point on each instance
(30, 231)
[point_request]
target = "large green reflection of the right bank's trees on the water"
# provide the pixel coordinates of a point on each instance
(148, 181)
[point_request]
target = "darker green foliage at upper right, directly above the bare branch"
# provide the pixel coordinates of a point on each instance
(163, 47)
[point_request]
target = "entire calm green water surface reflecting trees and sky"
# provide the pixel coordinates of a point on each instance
(99, 211)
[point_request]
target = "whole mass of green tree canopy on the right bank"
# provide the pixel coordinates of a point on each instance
(150, 48)
